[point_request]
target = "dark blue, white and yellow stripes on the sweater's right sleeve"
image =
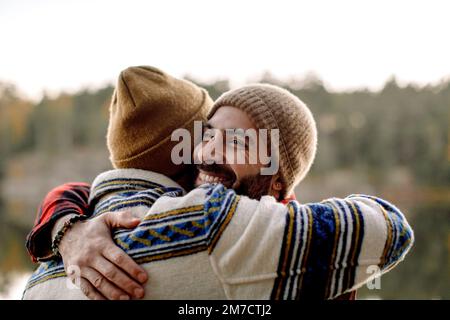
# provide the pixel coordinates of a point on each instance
(313, 266)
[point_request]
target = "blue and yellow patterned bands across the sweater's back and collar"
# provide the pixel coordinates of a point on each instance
(162, 235)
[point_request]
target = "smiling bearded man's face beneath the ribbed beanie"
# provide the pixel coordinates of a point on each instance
(218, 155)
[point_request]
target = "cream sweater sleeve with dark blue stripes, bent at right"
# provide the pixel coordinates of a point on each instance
(312, 251)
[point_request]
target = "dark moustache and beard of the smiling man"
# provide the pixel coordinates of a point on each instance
(253, 186)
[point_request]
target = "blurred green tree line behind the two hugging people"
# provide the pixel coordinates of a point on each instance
(395, 127)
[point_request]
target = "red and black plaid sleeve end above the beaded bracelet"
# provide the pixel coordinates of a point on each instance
(69, 198)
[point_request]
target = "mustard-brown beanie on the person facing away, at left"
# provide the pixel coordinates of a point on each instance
(146, 107)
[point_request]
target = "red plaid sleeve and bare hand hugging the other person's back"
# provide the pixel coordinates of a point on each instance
(105, 270)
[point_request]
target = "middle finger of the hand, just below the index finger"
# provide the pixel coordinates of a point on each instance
(119, 278)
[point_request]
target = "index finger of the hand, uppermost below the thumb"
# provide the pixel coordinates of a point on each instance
(118, 257)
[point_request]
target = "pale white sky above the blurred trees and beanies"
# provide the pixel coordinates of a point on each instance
(66, 45)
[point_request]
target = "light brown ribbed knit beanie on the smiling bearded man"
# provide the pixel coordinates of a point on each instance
(271, 107)
